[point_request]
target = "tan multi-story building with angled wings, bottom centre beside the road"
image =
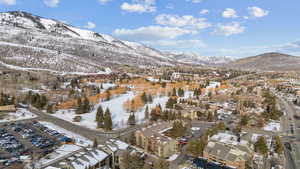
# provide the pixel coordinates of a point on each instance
(153, 140)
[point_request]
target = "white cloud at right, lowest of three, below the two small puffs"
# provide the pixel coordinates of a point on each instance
(229, 29)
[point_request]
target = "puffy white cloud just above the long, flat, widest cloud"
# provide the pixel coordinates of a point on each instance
(186, 21)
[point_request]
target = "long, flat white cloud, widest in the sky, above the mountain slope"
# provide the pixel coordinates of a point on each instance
(150, 33)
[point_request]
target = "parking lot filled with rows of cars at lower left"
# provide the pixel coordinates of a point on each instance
(27, 139)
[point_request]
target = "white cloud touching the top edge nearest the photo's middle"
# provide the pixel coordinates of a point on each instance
(139, 6)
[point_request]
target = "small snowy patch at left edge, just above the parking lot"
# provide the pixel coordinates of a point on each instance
(20, 114)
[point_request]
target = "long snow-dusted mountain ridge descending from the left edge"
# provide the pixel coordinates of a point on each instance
(33, 42)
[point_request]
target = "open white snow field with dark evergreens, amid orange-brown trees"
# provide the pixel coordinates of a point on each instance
(115, 105)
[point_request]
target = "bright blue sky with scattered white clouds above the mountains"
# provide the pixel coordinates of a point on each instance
(236, 28)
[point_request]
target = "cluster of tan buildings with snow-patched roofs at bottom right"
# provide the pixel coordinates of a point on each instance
(226, 150)
